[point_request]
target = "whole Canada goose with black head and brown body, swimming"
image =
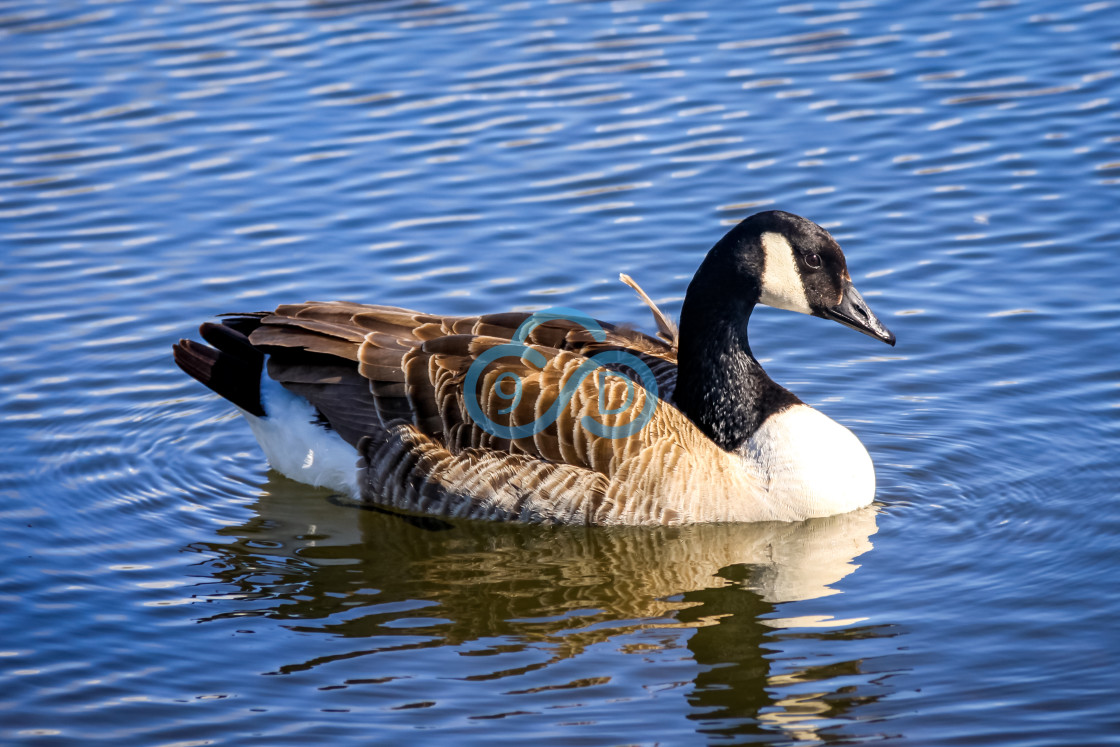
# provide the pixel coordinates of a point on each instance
(676, 429)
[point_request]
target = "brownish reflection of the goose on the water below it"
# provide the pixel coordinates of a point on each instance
(322, 565)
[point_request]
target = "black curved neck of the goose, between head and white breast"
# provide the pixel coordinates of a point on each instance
(721, 386)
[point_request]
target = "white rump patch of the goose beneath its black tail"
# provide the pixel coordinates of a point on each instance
(298, 449)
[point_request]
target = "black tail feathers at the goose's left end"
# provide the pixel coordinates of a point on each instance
(232, 368)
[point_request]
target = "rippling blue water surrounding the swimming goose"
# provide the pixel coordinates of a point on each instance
(162, 163)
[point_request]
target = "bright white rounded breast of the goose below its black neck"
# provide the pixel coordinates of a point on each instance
(813, 465)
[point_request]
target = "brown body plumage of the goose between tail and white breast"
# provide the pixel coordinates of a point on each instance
(391, 382)
